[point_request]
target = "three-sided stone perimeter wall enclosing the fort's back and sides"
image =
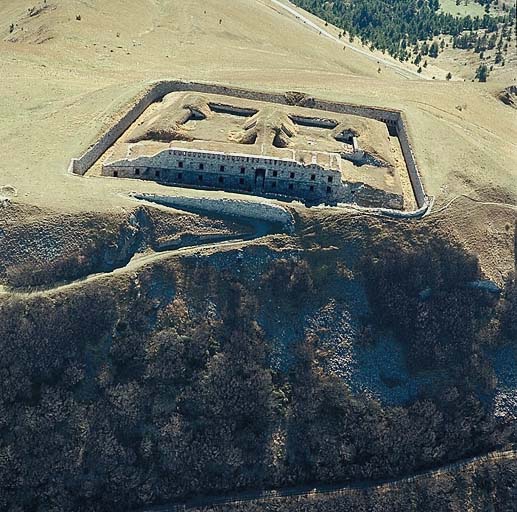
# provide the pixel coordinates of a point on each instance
(393, 118)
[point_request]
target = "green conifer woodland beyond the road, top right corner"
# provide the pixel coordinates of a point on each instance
(414, 29)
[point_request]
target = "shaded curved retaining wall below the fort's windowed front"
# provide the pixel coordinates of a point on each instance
(226, 207)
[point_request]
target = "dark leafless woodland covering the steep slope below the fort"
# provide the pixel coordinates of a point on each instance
(130, 393)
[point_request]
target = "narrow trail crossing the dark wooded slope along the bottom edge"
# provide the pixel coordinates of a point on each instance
(334, 490)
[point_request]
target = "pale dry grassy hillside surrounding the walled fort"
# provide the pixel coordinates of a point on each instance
(65, 79)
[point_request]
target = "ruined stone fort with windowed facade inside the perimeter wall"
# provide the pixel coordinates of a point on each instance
(293, 151)
